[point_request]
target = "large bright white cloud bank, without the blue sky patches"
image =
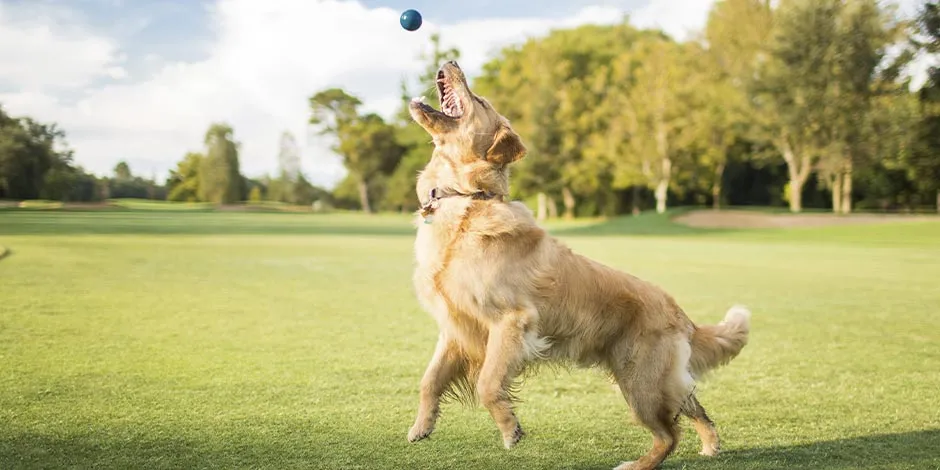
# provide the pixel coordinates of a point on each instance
(266, 60)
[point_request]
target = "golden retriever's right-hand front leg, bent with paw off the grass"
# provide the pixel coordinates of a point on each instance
(505, 356)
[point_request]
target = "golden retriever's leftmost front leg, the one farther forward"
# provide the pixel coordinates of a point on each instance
(444, 368)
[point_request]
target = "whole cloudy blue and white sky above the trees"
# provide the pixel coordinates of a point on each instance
(142, 80)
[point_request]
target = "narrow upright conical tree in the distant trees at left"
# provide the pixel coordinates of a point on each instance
(220, 179)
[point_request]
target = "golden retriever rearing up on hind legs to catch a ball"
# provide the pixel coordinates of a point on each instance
(506, 295)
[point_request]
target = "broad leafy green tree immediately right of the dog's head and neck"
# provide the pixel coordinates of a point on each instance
(551, 89)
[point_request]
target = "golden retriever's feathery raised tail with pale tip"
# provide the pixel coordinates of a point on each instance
(716, 345)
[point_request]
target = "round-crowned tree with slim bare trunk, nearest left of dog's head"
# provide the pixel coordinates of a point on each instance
(366, 143)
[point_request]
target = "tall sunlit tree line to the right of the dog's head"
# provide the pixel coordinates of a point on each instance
(799, 104)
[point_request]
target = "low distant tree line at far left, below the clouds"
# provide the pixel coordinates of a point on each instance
(35, 163)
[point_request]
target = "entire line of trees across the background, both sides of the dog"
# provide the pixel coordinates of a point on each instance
(800, 103)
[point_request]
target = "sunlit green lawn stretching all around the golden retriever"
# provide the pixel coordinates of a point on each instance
(265, 340)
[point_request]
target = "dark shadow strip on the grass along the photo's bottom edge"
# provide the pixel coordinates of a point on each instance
(914, 450)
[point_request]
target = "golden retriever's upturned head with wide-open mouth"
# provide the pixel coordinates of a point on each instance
(467, 128)
